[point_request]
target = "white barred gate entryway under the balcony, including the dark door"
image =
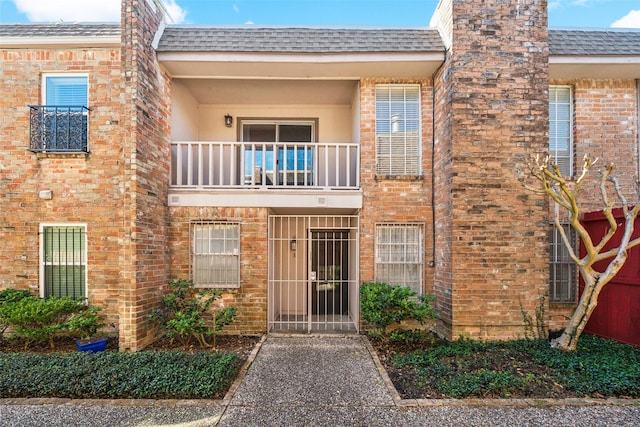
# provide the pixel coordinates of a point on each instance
(313, 273)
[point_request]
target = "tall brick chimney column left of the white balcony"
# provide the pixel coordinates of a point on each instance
(147, 146)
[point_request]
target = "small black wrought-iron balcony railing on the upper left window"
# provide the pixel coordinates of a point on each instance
(61, 129)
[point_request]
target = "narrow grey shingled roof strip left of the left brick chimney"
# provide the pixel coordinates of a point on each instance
(59, 30)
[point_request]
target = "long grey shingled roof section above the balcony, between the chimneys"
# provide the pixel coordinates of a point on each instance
(299, 40)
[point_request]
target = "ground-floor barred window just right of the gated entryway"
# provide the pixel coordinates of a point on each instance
(399, 255)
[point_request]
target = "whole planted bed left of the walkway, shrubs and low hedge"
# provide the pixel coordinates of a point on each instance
(38, 356)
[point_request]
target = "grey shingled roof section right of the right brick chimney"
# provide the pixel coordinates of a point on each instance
(594, 42)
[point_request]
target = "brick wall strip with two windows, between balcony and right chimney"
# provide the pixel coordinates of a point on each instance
(393, 199)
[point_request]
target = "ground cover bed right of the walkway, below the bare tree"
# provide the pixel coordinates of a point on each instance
(511, 369)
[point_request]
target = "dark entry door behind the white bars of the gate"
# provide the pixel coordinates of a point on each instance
(328, 297)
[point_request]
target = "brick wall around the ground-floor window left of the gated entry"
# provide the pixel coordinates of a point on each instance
(250, 300)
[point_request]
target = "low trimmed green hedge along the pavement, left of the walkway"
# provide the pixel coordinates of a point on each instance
(147, 374)
